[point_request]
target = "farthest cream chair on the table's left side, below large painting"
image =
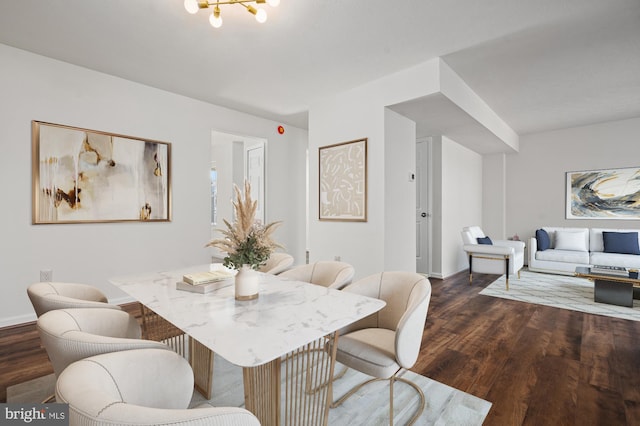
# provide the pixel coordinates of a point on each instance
(46, 296)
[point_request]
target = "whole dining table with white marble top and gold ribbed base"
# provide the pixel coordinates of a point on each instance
(285, 340)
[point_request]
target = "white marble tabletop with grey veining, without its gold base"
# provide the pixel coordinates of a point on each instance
(286, 315)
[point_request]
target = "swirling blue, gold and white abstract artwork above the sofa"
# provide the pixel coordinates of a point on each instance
(603, 194)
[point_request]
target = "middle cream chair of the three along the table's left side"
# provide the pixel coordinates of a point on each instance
(69, 335)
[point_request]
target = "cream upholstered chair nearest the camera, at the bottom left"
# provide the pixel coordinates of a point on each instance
(138, 387)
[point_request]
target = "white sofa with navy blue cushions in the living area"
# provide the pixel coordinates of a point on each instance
(563, 249)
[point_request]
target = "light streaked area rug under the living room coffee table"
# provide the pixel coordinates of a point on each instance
(558, 291)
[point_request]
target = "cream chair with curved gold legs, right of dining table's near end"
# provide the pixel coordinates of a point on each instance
(383, 344)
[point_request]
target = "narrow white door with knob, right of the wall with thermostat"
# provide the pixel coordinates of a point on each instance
(423, 208)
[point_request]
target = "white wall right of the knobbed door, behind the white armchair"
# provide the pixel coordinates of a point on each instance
(461, 202)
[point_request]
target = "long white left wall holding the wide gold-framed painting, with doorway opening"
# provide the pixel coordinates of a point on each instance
(37, 88)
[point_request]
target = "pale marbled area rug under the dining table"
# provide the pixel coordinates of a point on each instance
(369, 406)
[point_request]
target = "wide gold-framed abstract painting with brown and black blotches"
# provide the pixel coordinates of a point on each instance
(89, 176)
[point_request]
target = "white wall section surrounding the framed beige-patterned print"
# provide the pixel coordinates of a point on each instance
(351, 117)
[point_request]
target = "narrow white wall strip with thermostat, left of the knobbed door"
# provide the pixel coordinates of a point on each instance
(400, 193)
